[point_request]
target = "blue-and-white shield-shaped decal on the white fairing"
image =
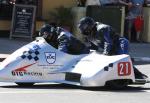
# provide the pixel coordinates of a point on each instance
(50, 57)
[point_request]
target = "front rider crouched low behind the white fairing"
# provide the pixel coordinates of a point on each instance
(62, 40)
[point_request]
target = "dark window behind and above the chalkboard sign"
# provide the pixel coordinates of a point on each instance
(6, 7)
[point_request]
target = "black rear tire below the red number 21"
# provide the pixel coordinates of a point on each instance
(118, 84)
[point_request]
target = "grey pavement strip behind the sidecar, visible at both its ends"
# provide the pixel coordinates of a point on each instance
(138, 51)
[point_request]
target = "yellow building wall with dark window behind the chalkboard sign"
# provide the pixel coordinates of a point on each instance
(43, 7)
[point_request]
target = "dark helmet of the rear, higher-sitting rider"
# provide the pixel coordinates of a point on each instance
(86, 24)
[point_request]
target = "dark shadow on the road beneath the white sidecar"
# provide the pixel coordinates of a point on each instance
(129, 89)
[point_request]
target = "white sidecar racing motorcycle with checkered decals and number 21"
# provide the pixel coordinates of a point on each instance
(39, 62)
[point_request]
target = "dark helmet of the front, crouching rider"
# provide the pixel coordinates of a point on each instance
(49, 29)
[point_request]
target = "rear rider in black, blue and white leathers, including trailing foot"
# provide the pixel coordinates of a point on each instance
(103, 36)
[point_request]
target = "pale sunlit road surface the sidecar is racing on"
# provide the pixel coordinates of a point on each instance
(60, 93)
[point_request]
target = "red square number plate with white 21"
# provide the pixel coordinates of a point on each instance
(124, 68)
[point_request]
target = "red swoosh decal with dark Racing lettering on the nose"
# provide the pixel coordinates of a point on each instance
(22, 71)
